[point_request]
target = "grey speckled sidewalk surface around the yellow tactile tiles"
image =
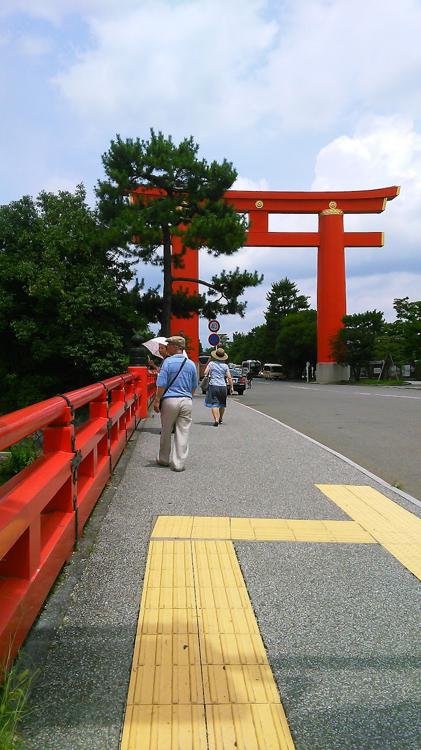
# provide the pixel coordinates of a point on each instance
(340, 622)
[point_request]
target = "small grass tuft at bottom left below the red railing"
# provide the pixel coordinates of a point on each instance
(15, 684)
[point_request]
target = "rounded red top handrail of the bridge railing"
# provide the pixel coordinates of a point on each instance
(17, 425)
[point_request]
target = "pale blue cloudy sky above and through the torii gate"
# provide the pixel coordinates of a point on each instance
(298, 94)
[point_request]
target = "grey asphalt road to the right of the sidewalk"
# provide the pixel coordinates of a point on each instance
(377, 427)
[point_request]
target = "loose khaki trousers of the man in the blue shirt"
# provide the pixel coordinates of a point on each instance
(175, 413)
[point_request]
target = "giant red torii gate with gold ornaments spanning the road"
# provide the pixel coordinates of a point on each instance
(330, 239)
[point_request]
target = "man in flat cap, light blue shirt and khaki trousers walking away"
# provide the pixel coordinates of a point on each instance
(176, 384)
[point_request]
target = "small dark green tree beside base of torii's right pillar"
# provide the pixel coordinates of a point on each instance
(355, 343)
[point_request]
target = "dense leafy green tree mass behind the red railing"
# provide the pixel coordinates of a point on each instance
(66, 312)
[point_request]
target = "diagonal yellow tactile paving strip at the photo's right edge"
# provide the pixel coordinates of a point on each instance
(395, 528)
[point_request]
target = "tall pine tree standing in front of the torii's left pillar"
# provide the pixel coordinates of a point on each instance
(188, 204)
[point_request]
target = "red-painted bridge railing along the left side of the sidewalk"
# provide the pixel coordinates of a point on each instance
(44, 508)
